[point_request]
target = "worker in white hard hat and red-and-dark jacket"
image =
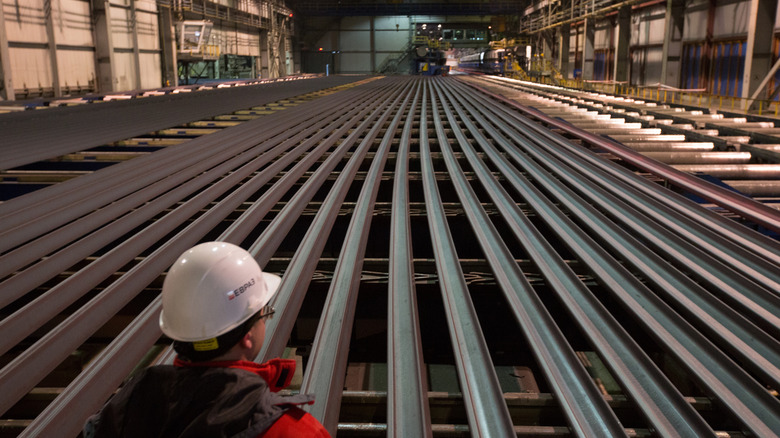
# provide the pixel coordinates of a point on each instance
(214, 306)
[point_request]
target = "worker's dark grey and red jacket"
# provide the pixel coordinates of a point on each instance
(214, 399)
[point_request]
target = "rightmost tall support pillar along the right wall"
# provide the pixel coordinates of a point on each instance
(758, 56)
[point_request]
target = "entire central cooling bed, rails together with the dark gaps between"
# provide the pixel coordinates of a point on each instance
(428, 232)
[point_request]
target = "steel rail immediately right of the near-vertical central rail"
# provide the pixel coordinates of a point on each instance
(486, 410)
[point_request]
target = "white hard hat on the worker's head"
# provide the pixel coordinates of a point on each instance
(211, 289)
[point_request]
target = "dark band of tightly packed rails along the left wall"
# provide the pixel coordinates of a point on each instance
(26, 142)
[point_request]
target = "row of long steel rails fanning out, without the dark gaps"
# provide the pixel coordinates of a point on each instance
(703, 288)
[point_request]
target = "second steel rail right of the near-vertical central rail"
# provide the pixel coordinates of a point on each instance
(583, 405)
